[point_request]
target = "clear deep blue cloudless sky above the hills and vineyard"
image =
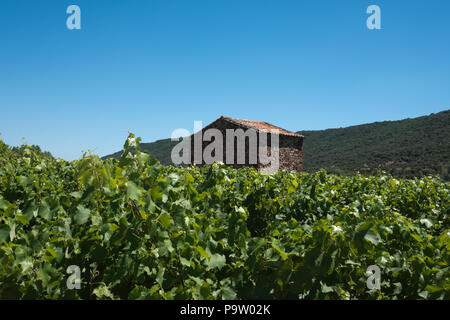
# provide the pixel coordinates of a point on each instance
(152, 66)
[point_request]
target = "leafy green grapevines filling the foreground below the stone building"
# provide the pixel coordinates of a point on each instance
(141, 230)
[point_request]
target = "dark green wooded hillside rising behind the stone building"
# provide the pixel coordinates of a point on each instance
(405, 148)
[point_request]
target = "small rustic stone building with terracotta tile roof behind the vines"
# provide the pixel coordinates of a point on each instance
(240, 143)
